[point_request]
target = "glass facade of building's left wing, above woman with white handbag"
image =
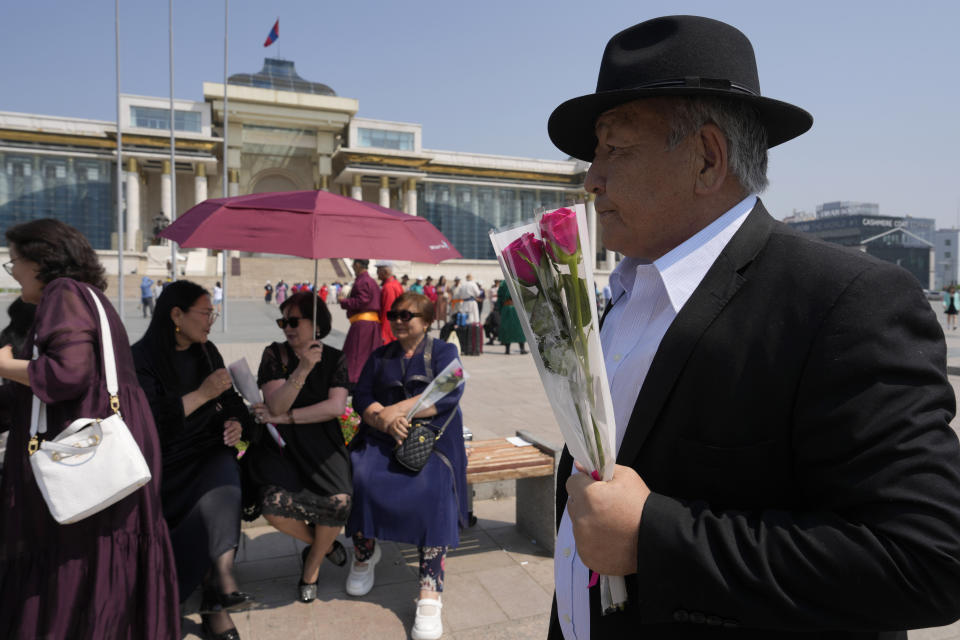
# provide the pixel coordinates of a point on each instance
(76, 190)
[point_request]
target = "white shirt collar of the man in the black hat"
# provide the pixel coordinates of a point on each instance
(684, 267)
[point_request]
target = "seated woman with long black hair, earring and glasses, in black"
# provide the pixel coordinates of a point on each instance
(199, 418)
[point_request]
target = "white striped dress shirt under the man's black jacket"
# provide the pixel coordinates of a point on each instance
(646, 299)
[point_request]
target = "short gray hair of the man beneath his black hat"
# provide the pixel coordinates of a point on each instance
(746, 137)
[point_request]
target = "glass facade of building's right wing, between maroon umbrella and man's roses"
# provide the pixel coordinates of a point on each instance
(465, 214)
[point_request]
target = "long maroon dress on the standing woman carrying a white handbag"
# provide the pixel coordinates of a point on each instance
(112, 574)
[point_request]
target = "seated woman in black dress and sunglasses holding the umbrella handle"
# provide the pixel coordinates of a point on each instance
(302, 479)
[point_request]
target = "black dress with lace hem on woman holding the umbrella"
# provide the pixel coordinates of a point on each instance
(301, 480)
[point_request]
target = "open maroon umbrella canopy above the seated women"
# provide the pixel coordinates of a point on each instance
(310, 224)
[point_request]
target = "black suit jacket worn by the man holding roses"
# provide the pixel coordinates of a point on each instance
(794, 430)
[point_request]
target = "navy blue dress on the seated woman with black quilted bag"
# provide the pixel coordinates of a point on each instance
(389, 501)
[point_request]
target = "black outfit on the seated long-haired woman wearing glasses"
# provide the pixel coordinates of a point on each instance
(200, 489)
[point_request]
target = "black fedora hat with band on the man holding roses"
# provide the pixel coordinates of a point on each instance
(673, 56)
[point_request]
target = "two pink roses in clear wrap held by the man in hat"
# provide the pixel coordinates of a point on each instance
(553, 291)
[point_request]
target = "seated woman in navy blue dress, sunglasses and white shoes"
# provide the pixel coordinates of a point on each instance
(426, 508)
